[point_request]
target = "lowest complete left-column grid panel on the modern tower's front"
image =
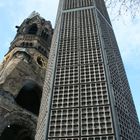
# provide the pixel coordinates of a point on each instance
(64, 123)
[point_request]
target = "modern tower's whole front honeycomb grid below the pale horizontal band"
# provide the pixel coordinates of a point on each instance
(80, 82)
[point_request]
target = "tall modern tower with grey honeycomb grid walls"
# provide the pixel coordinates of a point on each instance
(86, 93)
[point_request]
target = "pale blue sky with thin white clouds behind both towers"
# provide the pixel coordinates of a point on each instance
(127, 31)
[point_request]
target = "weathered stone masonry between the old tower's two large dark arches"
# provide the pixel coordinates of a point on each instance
(11, 113)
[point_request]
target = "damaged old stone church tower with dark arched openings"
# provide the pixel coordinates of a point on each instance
(22, 74)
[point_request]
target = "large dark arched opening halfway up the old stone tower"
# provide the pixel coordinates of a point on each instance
(29, 97)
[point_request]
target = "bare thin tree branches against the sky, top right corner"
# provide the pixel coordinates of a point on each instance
(124, 6)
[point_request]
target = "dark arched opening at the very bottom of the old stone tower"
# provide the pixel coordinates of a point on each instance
(16, 132)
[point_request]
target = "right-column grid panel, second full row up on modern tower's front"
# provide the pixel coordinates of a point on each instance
(94, 94)
